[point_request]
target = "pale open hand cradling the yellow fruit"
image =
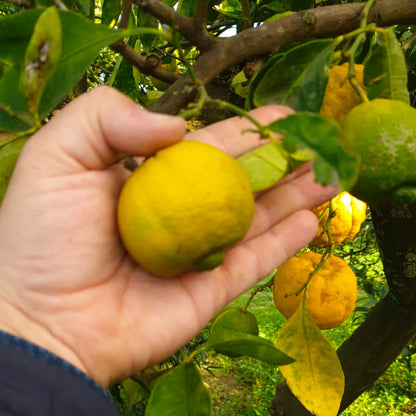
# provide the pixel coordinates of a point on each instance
(66, 282)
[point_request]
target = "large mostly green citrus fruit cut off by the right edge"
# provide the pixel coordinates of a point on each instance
(382, 133)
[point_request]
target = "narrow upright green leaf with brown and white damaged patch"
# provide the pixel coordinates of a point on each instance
(41, 57)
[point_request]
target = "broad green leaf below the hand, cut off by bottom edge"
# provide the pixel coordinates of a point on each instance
(180, 392)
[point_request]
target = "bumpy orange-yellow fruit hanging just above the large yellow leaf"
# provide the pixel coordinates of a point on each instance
(331, 295)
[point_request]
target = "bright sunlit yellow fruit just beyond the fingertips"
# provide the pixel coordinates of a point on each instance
(347, 216)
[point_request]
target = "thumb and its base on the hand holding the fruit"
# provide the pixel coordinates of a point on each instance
(91, 132)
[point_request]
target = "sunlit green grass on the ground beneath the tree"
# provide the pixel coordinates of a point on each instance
(244, 386)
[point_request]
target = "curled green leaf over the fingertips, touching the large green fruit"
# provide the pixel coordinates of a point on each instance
(332, 164)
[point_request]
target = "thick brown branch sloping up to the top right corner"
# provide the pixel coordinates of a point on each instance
(328, 21)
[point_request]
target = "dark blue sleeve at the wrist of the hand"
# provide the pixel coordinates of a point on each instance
(37, 383)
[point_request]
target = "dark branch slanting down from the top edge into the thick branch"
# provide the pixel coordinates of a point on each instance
(182, 24)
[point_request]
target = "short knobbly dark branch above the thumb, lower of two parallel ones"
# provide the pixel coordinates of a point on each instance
(147, 65)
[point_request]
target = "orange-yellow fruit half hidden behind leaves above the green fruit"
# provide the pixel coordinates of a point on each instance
(340, 96)
